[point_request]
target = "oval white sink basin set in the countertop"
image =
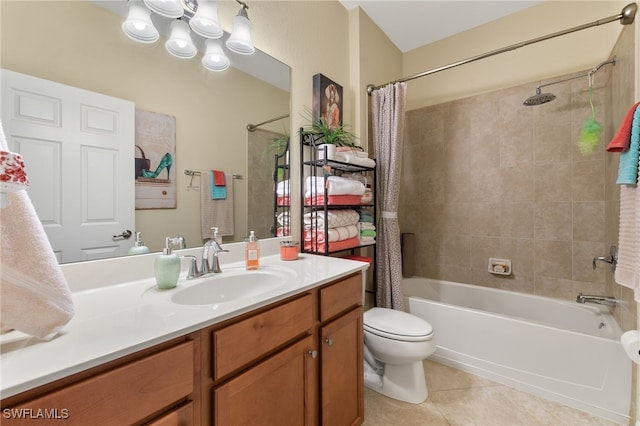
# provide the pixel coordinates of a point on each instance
(233, 285)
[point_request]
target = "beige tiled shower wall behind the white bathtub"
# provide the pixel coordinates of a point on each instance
(487, 177)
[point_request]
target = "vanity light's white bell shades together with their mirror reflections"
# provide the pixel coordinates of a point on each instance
(197, 16)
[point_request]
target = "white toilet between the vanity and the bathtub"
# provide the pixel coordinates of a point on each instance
(396, 343)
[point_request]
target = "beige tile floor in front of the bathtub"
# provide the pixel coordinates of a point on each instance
(460, 398)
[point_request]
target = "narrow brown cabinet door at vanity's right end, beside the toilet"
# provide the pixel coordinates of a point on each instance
(342, 398)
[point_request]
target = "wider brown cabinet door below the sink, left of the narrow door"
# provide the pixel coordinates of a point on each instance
(279, 391)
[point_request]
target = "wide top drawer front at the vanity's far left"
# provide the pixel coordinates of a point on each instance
(124, 395)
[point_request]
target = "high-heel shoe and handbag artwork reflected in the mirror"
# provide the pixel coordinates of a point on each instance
(155, 159)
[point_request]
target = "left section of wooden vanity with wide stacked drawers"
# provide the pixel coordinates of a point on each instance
(154, 386)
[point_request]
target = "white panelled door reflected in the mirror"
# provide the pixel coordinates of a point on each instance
(78, 147)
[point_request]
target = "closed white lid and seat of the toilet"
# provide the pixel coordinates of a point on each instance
(397, 325)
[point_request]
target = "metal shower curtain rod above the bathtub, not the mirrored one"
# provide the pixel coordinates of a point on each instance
(626, 17)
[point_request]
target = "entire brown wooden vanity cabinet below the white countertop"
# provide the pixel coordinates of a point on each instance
(295, 362)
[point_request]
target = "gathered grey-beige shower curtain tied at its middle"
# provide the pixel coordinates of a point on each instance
(388, 115)
